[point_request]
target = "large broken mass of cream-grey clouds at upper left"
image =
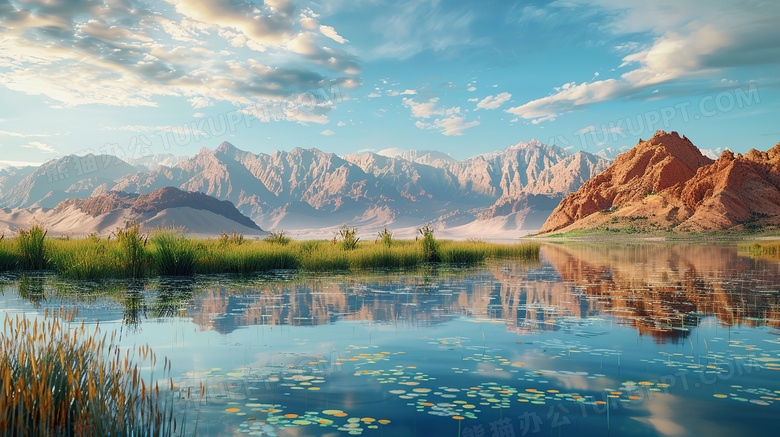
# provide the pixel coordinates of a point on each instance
(104, 52)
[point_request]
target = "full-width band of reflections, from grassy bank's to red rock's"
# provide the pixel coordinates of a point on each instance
(660, 290)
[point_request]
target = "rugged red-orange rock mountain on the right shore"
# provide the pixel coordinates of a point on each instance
(668, 182)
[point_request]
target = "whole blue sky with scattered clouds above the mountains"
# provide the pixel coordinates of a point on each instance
(134, 78)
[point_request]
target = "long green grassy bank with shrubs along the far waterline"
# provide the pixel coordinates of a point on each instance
(132, 254)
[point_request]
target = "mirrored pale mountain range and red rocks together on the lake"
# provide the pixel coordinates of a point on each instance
(661, 290)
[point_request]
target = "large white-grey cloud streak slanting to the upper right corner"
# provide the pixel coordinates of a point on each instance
(693, 40)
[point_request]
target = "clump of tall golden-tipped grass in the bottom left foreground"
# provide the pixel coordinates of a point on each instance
(57, 381)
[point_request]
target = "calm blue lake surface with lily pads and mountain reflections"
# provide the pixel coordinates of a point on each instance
(593, 340)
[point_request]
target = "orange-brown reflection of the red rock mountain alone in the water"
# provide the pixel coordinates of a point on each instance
(663, 290)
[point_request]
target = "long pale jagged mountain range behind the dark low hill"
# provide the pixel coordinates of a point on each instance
(512, 189)
